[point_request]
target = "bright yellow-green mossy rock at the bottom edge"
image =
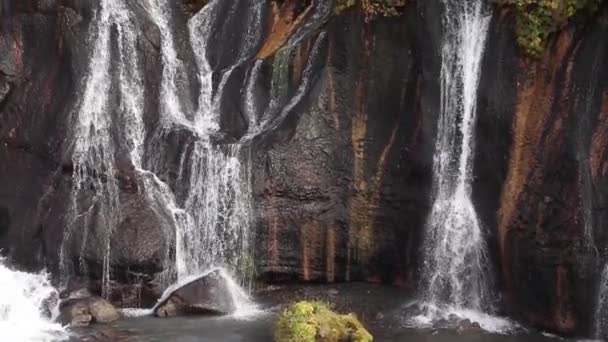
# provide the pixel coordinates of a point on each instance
(315, 322)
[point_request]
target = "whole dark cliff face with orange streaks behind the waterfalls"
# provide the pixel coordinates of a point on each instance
(342, 181)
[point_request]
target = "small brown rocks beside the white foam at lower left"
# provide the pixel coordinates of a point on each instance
(78, 312)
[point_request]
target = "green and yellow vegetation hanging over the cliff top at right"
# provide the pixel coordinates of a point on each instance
(535, 20)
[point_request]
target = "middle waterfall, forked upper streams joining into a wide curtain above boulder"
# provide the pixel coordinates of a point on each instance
(214, 178)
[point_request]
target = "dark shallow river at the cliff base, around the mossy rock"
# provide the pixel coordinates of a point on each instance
(380, 307)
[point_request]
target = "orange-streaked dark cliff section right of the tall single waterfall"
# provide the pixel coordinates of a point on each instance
(552, 207)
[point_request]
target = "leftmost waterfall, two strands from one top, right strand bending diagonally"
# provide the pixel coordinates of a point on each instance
(101, 132)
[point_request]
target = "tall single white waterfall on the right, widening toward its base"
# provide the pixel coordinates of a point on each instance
(455, 268)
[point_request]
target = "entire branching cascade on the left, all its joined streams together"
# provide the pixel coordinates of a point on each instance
(211, 222)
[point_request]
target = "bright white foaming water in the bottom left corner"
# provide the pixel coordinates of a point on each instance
(27, 302)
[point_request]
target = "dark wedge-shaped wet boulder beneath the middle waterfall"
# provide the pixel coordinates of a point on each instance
(206, 294)
